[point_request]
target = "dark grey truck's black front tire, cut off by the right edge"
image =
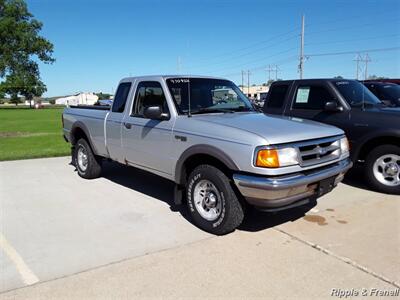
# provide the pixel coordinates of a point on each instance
(373, 157)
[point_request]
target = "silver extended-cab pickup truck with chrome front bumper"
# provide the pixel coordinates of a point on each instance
(203, 134)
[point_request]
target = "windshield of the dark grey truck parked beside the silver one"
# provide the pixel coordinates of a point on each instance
(356, 94)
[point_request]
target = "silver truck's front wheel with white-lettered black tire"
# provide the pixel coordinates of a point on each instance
(231, 212)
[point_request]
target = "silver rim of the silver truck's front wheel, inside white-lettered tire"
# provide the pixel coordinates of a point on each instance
(207, 200)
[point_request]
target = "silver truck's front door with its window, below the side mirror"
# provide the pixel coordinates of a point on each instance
(147, 143)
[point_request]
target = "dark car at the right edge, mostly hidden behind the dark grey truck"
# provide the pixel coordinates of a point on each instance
(388, 93)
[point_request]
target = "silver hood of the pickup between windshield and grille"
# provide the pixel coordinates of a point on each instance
(274, 129)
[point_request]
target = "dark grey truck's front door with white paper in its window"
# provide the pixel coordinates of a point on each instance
(308, 102)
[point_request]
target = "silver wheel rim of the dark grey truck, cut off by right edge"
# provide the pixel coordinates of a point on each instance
(387, 169)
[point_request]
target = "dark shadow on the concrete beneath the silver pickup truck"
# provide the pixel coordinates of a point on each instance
(163, 190)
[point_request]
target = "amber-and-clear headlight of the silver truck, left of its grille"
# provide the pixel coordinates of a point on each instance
(275, 158)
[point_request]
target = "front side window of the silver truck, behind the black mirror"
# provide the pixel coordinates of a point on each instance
(149, 93)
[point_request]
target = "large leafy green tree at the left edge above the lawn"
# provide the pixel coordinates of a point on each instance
(21, 47)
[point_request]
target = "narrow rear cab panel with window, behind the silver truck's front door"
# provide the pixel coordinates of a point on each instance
(114, 121)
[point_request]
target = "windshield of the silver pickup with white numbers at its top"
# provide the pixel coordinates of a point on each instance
(207, 95)
